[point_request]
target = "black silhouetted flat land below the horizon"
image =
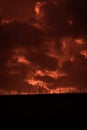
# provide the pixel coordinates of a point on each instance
(33, 112)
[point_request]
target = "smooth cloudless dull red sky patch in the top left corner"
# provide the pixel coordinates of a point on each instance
(20, 9)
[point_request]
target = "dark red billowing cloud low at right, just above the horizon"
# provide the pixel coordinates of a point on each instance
(76, 73)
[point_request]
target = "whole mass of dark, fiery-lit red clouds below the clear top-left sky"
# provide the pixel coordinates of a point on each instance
(50, 52)
